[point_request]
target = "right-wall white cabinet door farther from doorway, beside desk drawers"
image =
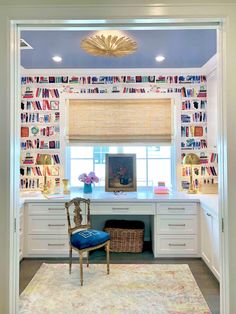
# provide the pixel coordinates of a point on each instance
(206, 229)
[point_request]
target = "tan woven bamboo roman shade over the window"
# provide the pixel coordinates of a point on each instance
(120, 120)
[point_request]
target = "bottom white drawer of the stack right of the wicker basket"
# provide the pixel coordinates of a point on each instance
(177, 245)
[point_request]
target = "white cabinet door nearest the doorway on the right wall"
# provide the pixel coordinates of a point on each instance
(215, 247)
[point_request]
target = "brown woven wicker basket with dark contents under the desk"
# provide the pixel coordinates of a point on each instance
(126, 236)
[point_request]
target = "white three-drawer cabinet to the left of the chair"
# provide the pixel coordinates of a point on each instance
(46, 230)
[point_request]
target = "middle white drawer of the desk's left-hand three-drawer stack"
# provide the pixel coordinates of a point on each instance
(47, 225)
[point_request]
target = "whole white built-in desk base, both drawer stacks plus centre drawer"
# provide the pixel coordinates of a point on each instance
(174, 231)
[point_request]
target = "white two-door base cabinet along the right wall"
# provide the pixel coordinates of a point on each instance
(210, 241)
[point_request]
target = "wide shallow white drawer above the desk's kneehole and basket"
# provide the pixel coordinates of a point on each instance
(123, 208)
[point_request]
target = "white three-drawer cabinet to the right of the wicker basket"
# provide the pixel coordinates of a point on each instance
(175, 231)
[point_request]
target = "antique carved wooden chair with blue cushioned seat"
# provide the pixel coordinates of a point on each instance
(82, 238)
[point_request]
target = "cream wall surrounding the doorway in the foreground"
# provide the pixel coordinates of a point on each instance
(138, 10)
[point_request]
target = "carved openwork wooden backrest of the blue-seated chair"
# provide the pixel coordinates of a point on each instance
(78, 209)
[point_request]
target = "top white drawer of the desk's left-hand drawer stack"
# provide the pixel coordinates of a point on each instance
(46, 209)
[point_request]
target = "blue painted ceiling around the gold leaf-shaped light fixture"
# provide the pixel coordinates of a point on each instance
(182, 49)
